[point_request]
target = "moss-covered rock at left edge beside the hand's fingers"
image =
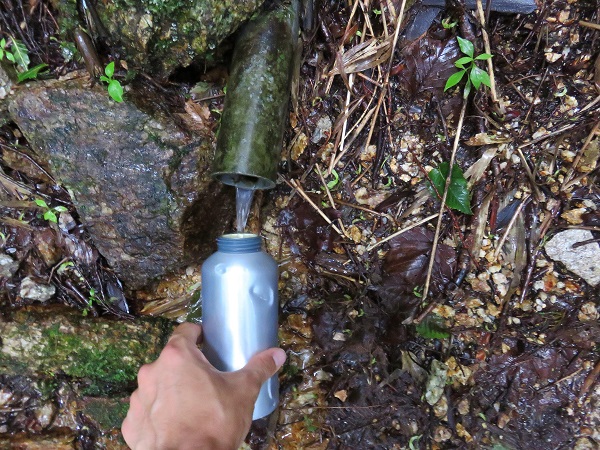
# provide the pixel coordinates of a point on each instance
(40, 342)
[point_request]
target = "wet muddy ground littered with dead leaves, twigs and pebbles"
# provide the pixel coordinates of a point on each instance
(490, 343)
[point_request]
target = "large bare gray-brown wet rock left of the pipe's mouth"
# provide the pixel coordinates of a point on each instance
(140, 183)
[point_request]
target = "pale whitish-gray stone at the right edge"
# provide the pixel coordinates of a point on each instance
(582, 260)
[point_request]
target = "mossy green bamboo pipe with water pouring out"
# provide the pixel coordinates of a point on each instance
(256, 103)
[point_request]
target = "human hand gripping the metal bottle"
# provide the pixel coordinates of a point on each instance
(183, 402)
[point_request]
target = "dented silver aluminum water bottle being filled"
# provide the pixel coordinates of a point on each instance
(240, 309)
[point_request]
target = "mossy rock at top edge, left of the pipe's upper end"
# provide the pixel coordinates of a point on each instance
(161, 36)
